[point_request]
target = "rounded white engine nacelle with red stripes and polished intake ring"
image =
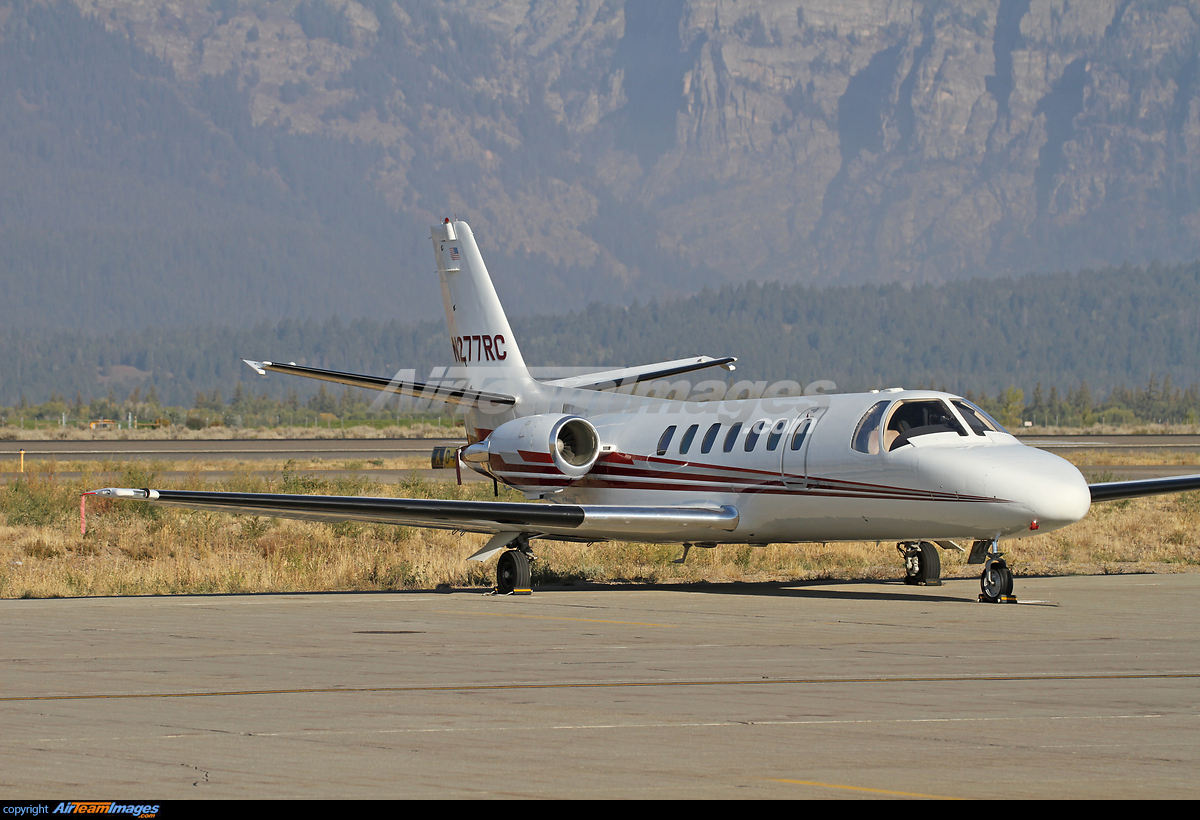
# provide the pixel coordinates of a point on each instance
(541, 452)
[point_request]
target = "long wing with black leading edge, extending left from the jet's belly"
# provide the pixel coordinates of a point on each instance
(571, 522)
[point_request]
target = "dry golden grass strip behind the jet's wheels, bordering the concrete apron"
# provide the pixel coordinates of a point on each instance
(137, 549)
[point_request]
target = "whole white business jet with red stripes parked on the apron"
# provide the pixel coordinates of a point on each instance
(919, 468)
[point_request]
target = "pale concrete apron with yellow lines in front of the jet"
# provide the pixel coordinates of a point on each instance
(821, 690)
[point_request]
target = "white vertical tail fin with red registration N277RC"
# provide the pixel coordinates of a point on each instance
(479, 331)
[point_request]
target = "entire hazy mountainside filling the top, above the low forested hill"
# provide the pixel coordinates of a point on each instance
(178, 160)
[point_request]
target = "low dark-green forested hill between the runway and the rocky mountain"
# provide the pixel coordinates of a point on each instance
(1102, 332)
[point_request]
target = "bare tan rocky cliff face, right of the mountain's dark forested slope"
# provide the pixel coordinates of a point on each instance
(825, 141)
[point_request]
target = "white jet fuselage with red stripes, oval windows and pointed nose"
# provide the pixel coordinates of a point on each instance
(939, 487)
